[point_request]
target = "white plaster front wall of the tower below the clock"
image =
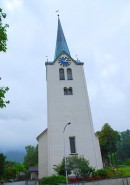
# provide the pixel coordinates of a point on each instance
(69, 108)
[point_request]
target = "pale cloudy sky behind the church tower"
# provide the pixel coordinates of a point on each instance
(97, 32)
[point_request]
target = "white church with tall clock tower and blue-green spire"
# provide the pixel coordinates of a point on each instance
(69, 121)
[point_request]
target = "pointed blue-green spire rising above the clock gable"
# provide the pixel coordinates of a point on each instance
(61, 44)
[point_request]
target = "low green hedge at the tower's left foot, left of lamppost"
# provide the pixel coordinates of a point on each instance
(54, 179)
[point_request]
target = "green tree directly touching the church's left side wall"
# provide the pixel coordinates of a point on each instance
(31, 157)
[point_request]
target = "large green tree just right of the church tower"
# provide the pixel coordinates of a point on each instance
(108, 139)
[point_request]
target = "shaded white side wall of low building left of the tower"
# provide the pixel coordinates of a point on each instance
(43, 155)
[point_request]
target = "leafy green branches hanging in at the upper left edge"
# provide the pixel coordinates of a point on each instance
(3, 47)
